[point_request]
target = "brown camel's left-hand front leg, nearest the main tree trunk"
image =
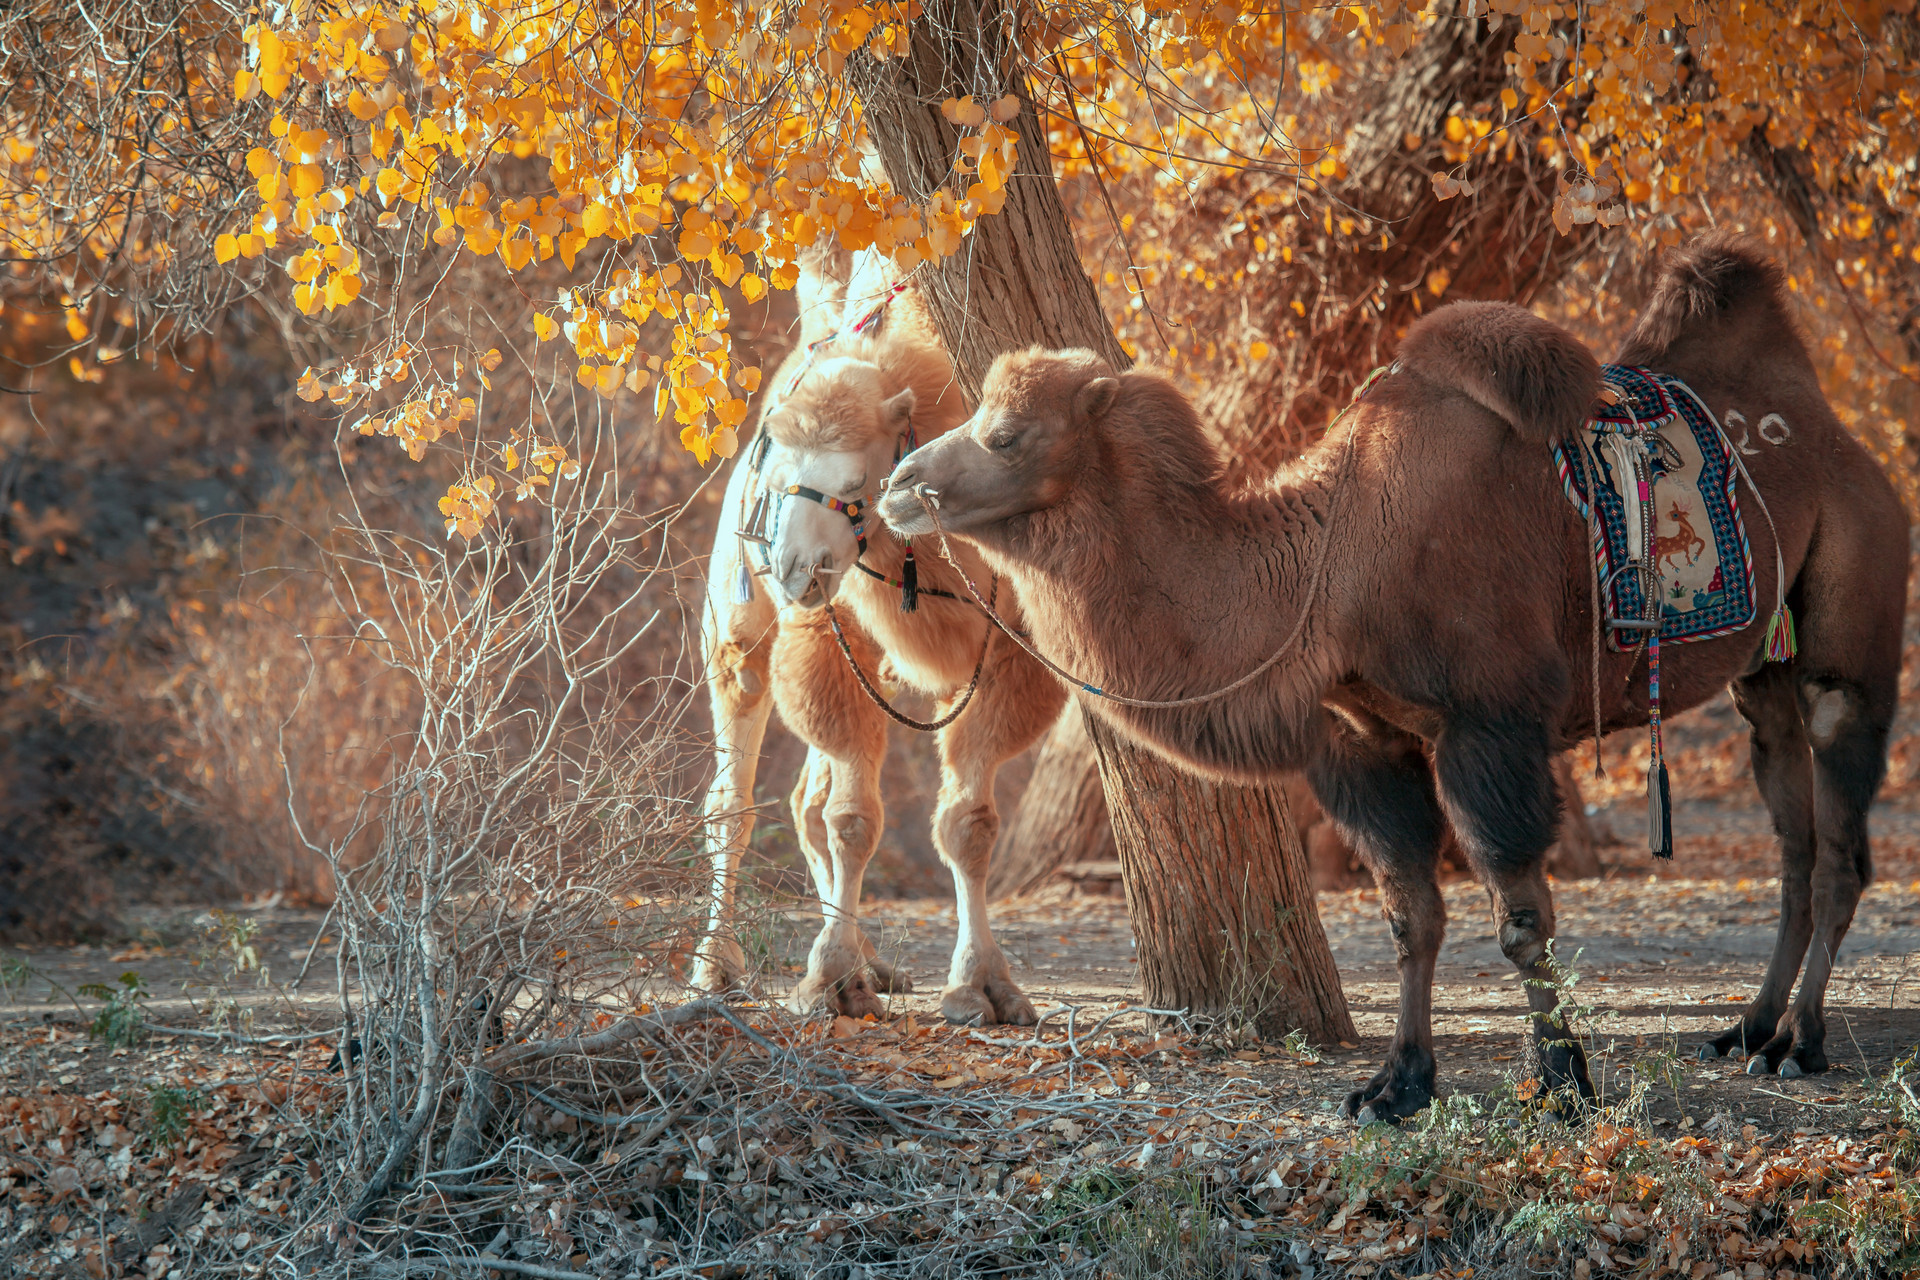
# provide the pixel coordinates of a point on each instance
(1380, 794)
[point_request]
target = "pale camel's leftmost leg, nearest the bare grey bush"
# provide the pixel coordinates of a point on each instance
(738, 690)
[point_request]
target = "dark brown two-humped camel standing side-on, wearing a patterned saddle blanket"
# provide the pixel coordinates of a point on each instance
(1447, 655)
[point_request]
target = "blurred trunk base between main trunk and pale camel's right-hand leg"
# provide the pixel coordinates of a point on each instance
(1055, 824)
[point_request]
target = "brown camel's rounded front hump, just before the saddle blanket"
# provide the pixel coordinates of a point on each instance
(1533, 373)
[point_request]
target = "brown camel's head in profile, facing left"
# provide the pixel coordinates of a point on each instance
(1019, 454)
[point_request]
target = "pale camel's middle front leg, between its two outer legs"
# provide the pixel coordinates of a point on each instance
(838, 817)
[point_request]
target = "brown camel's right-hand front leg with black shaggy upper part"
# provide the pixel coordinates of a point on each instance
(1497, 786)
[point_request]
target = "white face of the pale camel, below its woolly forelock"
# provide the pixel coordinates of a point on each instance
(815, 546)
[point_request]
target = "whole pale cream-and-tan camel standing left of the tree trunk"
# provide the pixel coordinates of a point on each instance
(838, 433)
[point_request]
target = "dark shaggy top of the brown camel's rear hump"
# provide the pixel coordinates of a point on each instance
(1700, 289)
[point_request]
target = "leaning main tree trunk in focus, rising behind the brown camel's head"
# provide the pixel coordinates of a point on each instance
(1019, 283)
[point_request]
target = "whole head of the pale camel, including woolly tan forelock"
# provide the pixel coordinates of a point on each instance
(834, 437)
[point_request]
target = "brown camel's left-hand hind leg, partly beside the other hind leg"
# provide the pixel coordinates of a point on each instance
(1783, 769)
